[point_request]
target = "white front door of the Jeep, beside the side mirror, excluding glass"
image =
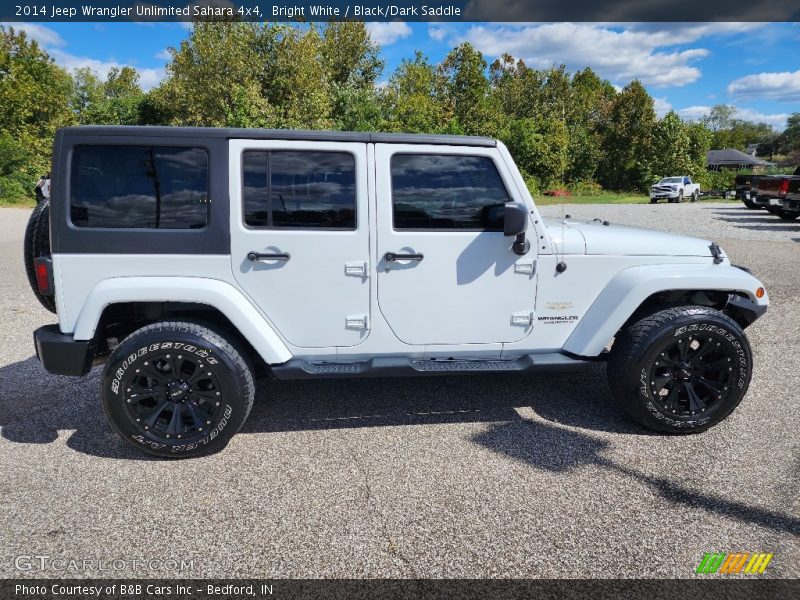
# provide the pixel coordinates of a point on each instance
(462, 287)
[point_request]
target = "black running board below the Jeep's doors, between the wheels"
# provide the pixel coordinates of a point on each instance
(400, 367)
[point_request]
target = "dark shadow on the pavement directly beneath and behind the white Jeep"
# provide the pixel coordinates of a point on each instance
(37, 408)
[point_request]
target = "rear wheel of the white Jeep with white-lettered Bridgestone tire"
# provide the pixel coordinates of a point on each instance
(191, 385)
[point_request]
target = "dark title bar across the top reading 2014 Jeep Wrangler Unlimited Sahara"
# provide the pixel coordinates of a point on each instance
(617, 11)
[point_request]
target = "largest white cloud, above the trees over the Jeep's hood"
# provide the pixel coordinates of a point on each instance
(647, 54)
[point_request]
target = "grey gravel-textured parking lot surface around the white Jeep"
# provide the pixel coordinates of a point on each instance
(479, 476)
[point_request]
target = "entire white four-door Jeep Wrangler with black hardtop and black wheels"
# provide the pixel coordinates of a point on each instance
(185, 258)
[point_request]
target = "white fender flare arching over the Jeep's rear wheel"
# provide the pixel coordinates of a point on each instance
(212, 292)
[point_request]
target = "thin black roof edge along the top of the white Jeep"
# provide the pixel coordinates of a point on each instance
(278, 134)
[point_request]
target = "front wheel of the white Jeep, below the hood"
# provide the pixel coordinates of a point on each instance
(638, 350)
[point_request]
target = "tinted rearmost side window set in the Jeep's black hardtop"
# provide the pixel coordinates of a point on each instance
(139, 187)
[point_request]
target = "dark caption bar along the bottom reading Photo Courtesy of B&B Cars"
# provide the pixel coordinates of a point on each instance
(710, 588)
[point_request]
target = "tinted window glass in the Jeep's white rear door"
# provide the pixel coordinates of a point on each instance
(299, 189)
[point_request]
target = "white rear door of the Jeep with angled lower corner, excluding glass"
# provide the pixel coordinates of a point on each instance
(314, 289)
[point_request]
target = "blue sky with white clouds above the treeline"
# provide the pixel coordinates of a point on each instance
(686, 66)
